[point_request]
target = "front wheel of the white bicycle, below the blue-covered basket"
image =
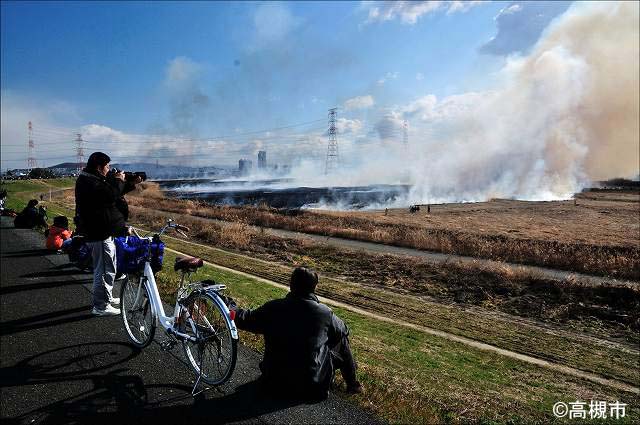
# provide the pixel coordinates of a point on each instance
(138, 315)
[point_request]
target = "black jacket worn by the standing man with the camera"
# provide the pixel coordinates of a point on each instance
(96, 210)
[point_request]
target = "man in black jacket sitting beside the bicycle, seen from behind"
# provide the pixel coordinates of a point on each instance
(304, 341)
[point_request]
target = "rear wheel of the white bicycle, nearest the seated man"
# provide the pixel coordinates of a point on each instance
(213, 353)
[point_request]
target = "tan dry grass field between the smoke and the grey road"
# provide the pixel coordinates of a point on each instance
(593, 239)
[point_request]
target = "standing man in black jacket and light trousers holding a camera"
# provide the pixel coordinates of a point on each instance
(99, 219)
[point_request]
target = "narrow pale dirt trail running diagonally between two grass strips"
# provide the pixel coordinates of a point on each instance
(452, 337)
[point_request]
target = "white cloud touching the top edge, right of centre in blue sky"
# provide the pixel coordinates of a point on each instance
(410, 11)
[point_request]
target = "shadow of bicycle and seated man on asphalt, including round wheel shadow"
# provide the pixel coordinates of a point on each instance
(121, 397)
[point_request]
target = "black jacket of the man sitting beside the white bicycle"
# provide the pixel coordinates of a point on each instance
(299, 333)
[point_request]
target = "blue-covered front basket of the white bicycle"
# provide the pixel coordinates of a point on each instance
(131, 254)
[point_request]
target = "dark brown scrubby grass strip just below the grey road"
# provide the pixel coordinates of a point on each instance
(607, 311)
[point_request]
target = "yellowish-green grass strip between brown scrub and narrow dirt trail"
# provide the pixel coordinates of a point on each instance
(566, 348)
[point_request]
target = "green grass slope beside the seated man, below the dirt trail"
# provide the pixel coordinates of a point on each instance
(413, 377)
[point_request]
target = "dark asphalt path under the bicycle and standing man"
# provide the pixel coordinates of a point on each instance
(59, 364)
